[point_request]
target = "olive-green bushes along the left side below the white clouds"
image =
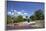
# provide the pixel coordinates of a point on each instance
(15, 20)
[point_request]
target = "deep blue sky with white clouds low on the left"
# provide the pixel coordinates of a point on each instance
(23, 8)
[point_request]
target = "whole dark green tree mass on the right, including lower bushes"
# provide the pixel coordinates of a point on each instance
(38, 15)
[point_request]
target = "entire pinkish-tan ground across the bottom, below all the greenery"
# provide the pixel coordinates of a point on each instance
(26, 25)
